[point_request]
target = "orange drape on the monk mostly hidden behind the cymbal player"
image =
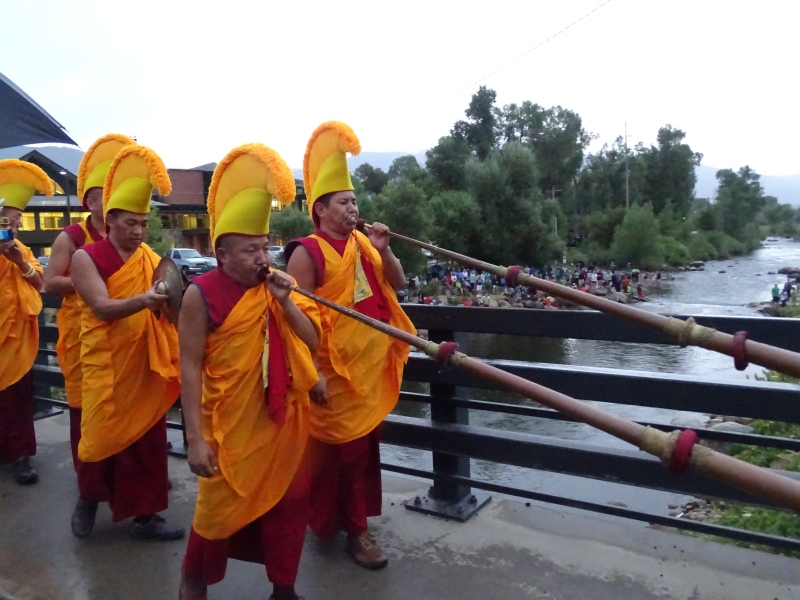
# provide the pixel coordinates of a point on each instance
(68, 347)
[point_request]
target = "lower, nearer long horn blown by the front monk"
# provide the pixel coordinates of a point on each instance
(677, 450)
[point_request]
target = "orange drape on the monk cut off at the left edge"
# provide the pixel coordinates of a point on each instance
(20, 305)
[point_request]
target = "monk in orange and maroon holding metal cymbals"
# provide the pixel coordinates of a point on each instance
(129, 358)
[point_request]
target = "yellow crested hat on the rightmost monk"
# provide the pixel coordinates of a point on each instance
(325, 163)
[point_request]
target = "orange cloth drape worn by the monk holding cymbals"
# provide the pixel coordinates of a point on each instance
(129, 367)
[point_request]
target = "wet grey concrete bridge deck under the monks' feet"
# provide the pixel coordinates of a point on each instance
(507, 551)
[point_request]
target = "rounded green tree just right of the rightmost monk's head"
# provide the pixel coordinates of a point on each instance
(403, 206)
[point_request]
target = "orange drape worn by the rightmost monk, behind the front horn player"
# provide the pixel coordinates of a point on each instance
(364, 367)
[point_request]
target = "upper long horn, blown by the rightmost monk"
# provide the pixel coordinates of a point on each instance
(684, 333)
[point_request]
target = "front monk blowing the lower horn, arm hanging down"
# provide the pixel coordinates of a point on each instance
(246, 370)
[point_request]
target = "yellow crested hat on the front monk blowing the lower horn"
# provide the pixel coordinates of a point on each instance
(242, 189)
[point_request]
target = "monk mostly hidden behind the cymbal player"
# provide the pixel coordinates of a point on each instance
(91, 179)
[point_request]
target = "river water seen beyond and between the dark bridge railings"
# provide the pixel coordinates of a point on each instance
(726, 287)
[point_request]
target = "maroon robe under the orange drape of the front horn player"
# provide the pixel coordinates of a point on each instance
(275, 538)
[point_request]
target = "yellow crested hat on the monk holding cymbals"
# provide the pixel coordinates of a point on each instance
(133, 174)
